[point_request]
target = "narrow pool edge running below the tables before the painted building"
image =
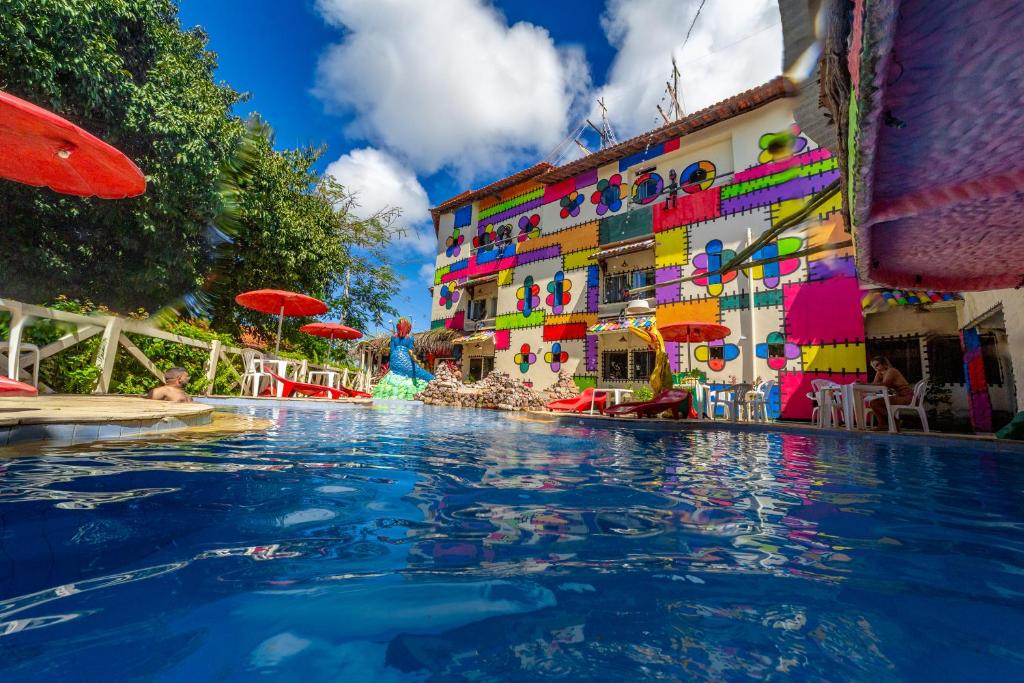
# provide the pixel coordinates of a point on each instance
(923, 439)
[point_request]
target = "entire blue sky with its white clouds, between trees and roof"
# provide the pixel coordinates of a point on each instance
(417, 102)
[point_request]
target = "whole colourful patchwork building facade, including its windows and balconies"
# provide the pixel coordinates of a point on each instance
(538, 270)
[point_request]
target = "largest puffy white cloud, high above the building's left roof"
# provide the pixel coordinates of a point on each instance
(450, 84)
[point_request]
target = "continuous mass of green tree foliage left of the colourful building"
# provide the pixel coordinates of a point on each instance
(224, 211)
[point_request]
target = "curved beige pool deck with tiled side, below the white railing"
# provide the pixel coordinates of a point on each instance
(74, 420)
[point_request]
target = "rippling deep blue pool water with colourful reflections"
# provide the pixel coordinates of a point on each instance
(416, 543)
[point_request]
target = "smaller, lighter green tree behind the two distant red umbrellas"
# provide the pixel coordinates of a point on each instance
(286, 227)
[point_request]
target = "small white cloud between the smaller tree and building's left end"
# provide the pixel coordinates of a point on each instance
(380, 182)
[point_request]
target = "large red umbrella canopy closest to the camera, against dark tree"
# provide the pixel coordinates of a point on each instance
(38, 148)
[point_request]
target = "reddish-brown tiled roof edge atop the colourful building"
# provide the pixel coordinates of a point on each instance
(728, 109)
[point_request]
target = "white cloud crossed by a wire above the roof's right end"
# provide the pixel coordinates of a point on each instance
(746, 39)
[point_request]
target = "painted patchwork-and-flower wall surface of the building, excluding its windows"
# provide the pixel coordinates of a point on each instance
(794, 321)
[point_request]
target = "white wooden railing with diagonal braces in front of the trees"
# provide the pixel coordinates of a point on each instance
(114, 329)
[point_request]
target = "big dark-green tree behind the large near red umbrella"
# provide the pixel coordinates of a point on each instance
(126, 72)
